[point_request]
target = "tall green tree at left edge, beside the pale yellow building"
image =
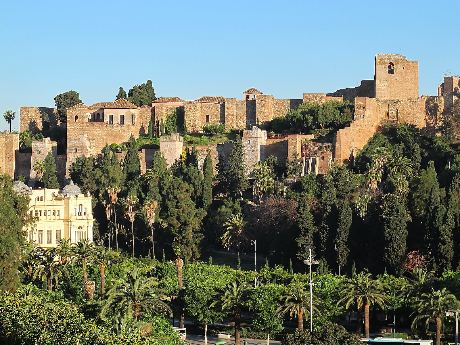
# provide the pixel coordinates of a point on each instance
(13, 218)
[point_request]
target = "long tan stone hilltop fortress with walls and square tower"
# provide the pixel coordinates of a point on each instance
(392, 96)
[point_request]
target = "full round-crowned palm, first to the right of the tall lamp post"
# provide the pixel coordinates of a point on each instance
(362, 291)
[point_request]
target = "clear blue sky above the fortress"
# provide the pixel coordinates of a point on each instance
(190, 49)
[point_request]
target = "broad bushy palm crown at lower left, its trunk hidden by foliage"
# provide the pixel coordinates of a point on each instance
(134, 296)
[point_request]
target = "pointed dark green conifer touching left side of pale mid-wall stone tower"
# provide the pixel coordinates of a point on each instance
(232, 173)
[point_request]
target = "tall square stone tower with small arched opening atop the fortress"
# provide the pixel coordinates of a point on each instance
(396, 78)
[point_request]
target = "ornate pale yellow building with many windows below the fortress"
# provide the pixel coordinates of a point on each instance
(58, 214)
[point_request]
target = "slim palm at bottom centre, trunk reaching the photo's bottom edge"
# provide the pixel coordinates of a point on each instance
(233, 301)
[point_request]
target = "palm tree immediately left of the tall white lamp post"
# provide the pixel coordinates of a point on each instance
(296, 302)
